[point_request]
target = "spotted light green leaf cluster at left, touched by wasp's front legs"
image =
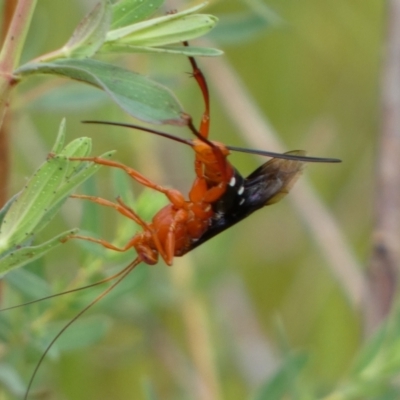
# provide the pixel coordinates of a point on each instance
(40, 200)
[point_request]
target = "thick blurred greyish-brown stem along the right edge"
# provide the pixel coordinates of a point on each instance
(385, 258)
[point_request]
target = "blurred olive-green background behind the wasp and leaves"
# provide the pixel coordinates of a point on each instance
(225, 318)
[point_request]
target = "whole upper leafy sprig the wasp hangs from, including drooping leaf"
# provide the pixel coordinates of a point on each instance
(110, 29)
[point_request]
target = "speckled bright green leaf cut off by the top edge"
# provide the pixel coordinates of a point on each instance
(128, 12)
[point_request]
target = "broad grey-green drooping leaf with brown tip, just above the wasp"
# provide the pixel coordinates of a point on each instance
(137, 95)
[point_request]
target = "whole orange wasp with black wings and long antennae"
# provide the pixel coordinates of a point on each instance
(219, 198)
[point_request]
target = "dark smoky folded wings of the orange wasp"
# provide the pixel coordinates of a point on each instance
(266, 185)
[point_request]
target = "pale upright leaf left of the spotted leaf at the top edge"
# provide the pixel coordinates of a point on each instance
(90, 33)
